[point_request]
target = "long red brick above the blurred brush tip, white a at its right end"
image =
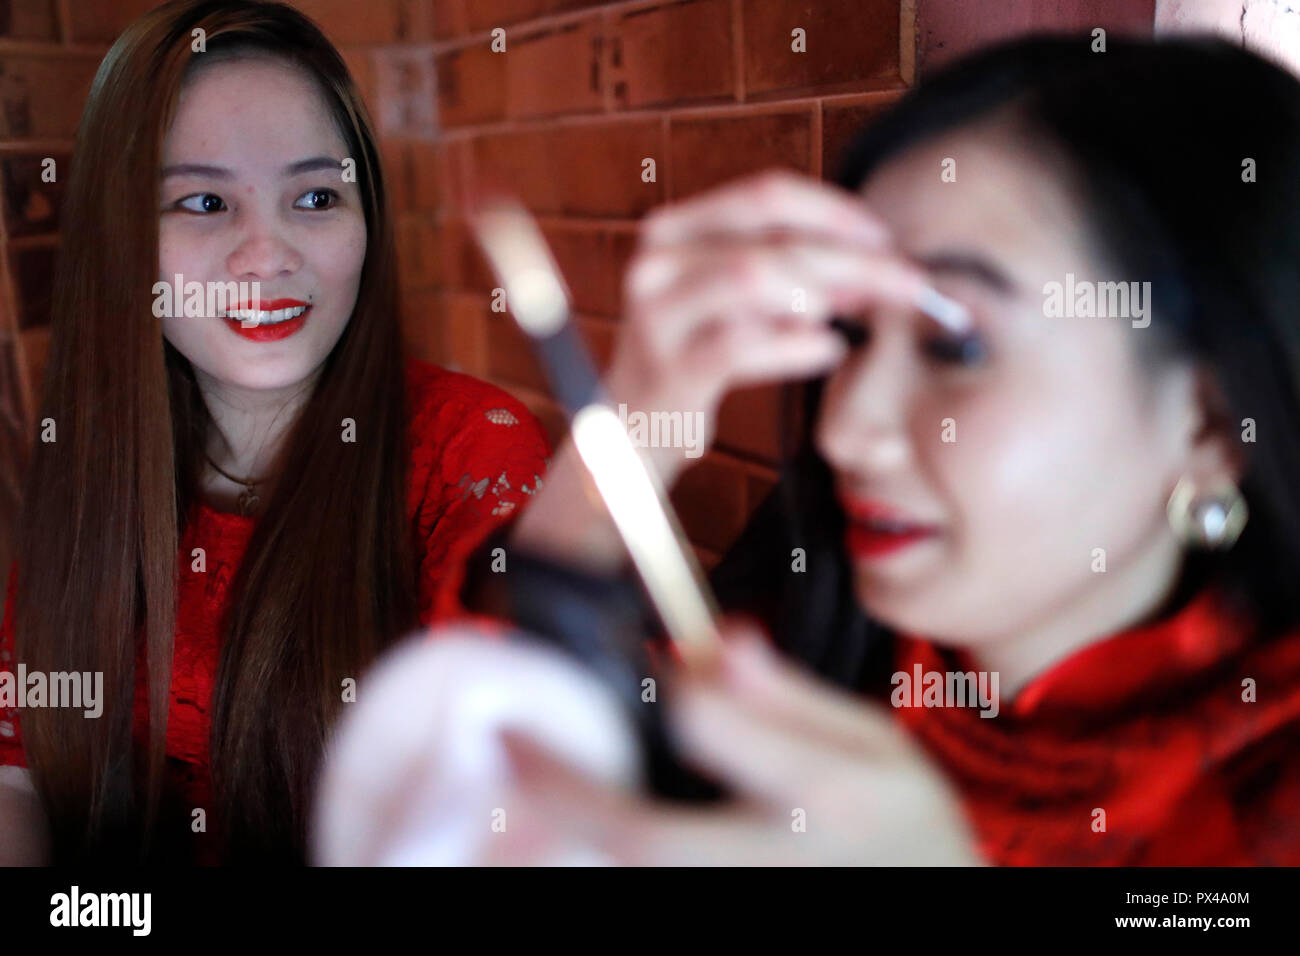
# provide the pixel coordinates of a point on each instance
(578, 170)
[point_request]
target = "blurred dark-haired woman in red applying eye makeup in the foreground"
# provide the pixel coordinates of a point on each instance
(1087, 504)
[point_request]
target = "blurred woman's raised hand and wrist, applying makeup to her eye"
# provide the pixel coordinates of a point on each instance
(729, 289)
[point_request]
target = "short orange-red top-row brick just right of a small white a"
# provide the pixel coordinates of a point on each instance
(554, 72)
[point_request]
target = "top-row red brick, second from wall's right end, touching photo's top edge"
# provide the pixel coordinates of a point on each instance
(673, 55)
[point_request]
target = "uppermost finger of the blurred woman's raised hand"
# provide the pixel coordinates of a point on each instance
(775, 200)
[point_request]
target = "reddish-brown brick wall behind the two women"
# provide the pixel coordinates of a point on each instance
(566, 115)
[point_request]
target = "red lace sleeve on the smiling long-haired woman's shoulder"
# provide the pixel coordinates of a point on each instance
(489, 457)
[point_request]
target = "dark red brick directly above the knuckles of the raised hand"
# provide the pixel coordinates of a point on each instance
(709, 152)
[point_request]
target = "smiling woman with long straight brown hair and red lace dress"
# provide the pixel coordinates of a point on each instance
(252, 495)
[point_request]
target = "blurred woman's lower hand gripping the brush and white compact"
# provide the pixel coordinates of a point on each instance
(821, 778)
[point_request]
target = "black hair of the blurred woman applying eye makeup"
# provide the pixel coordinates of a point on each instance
(1158, 137)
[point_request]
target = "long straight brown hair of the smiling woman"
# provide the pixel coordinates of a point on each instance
(328, 577)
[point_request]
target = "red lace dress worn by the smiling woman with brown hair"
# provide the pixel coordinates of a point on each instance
(476, 457)
